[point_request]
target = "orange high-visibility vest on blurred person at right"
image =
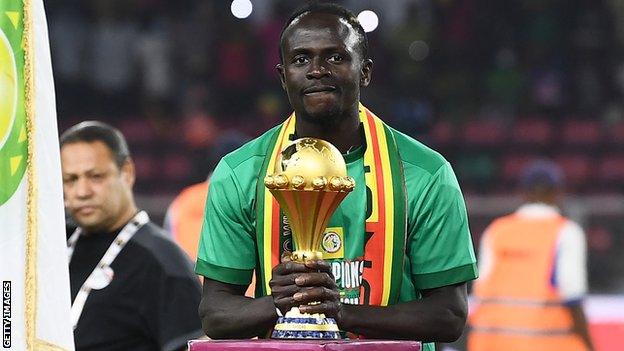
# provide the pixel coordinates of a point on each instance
(518, 308)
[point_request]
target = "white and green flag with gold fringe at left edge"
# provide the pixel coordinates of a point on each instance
(33, 253)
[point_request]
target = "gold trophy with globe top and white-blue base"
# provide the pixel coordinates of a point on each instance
(309, 182)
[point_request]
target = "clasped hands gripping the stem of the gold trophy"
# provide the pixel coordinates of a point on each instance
(297, 284)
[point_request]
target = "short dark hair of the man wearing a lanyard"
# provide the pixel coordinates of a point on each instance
(92, 131)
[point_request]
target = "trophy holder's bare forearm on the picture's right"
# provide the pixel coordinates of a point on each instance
(434, 318)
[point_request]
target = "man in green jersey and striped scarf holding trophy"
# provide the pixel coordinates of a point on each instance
(397, 252)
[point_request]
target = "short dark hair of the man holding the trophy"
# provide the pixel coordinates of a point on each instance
(332, 9)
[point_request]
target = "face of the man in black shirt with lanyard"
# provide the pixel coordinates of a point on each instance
(97, 193)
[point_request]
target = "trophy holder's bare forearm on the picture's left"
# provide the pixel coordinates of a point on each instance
(227, 316)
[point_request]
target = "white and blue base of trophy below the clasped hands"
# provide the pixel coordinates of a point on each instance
(297, 325)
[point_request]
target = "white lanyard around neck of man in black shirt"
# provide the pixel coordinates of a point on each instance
(94, 281)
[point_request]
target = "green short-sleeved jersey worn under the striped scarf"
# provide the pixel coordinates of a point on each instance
(439, 249)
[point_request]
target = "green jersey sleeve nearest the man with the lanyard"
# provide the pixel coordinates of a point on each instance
(226, 248)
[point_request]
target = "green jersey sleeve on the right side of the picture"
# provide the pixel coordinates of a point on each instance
(439, 243)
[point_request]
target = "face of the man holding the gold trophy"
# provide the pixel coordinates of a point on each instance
(322, 68)
